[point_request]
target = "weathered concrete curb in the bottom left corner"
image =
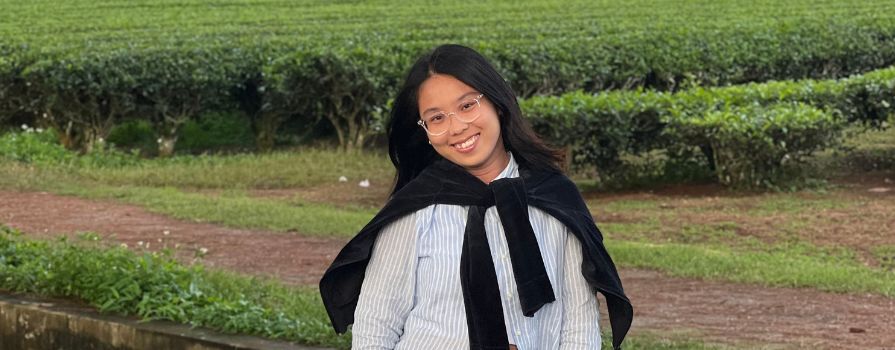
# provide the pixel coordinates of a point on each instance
(31, 323)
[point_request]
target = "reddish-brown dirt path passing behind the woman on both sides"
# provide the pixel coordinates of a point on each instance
(723, 312)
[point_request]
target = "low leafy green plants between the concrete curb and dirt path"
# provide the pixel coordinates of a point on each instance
(154, 286)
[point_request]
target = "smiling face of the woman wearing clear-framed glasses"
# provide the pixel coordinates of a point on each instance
(476, 146)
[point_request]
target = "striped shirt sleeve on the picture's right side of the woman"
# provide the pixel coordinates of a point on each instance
(581, 315)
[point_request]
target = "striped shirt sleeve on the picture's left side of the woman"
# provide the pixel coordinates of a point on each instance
(386, 295)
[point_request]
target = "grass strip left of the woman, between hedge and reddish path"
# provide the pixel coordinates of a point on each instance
(230, 208)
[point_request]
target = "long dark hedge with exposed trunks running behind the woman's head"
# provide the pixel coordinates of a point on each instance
(346, 83)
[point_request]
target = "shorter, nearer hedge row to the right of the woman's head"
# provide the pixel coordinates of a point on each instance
(747, 135)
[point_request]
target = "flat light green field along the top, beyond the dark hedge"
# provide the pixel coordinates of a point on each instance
(75, 23)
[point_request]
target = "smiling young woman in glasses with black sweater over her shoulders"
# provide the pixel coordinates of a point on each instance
(484, 244)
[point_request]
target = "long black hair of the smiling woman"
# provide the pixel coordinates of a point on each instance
(408, 145)
